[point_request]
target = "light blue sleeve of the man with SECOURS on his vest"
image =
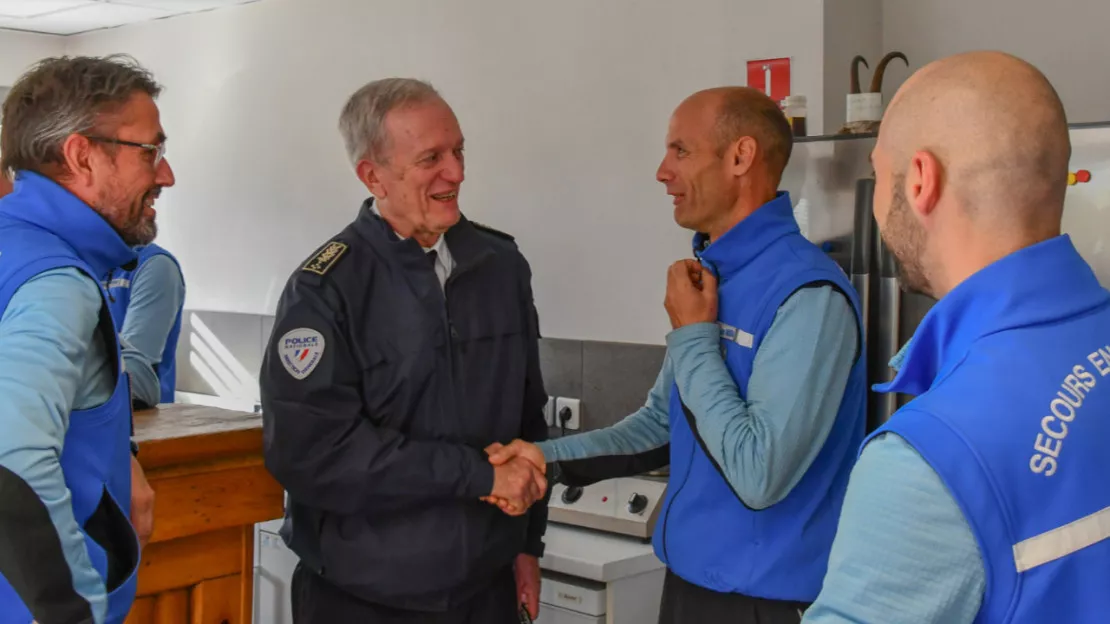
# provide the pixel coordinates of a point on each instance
(884, 569)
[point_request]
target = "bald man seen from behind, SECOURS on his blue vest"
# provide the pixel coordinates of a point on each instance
(985, 499)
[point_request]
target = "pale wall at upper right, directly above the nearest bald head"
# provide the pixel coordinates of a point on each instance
(1068, 41)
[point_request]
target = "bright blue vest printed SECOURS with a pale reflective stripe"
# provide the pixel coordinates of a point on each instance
(1012, 373)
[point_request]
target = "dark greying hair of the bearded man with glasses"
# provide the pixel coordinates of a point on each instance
(64, 96)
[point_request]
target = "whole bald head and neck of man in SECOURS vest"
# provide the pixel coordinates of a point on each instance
(972, 166)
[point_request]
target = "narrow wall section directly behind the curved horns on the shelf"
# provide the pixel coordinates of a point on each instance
(852, 28)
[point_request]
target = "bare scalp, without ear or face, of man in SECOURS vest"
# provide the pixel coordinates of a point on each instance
(997, 128)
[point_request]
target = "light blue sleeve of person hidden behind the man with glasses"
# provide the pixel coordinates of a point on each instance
(157, 295)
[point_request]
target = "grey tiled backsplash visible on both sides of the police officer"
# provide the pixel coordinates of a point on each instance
(611, 379)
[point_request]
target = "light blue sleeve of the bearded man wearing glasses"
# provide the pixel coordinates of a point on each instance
(55, 364)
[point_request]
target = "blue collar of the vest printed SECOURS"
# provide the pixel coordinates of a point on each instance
(1038, 285)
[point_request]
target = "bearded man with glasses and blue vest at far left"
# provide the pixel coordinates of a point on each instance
(85, 143)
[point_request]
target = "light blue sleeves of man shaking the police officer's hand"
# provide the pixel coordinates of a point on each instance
(766, 441)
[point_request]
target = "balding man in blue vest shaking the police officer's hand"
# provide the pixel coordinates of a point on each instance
(760, 408)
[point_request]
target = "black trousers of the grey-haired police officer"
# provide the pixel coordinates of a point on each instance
(317, 601)
